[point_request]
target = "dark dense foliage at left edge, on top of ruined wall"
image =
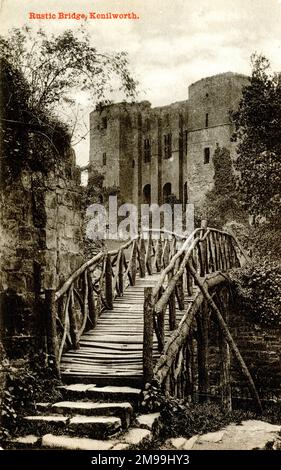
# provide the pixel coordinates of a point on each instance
(30, 139)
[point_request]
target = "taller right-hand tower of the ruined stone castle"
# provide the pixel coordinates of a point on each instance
(210, 102)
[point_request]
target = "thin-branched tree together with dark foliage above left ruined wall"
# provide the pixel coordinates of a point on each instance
(41, 77)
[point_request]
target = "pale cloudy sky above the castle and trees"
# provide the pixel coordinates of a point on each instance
(172, 44)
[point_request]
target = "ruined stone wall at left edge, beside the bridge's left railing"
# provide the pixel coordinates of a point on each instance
(41, 245)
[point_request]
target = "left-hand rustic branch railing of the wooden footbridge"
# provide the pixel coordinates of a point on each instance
(76, 306)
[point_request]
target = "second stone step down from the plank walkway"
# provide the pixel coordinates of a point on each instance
(123, 410)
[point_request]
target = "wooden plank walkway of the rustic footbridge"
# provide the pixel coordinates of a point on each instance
(112, 352)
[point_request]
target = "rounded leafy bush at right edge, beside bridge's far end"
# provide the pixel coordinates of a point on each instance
(257, 289)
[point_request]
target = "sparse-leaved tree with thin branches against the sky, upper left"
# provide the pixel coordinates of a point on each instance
(58, 66)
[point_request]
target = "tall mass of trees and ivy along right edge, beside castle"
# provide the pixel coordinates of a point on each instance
(247, 202)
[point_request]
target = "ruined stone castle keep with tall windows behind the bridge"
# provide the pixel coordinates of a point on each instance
(120, 132)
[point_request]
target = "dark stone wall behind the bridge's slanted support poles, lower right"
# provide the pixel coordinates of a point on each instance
(260, 348)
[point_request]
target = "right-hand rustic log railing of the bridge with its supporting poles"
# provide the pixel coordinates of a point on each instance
(197, 270)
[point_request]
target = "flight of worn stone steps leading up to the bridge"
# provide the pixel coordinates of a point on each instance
(88, 418)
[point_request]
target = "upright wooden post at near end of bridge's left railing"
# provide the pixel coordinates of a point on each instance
(51, 330)
